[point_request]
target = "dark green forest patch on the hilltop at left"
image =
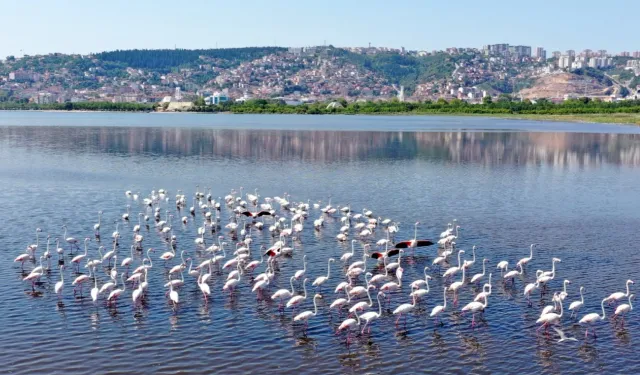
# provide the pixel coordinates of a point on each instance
(165, 59)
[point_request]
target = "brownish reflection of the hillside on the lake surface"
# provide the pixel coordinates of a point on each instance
(328, 146)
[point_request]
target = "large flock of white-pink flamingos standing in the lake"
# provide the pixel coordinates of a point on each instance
(229, 249)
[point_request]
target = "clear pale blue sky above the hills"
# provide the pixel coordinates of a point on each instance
(82, 26)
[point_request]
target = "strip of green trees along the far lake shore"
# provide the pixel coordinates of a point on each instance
(583, 109)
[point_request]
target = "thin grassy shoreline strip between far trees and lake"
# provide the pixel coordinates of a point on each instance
(603, 118)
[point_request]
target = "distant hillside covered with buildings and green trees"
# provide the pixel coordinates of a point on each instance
(299, 75)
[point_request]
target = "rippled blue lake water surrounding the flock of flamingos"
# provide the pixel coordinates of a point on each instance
(572, 188)
